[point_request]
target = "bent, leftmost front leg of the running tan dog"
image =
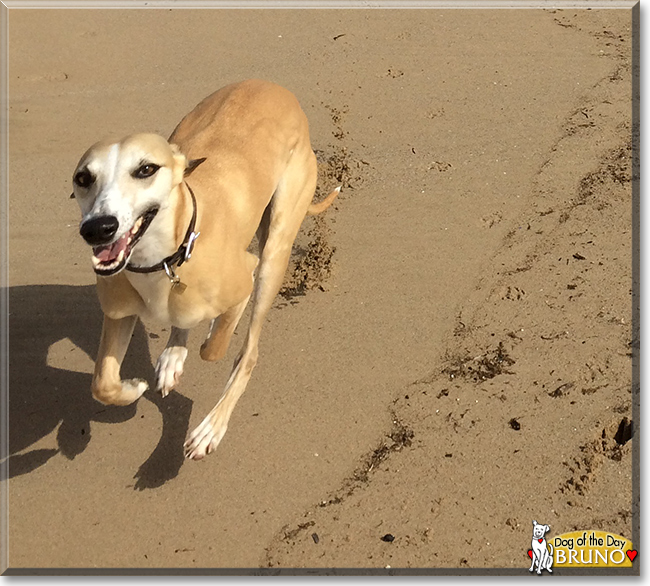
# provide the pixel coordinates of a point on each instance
(107, 386)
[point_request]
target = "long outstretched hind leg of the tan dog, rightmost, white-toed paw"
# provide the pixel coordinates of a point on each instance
(288, 210)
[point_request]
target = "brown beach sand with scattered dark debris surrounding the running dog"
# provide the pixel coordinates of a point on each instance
(451, 357)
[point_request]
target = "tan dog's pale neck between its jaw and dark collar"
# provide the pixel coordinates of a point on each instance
(167, 231)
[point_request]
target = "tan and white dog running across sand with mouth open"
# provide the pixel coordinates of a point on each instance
(253, 171)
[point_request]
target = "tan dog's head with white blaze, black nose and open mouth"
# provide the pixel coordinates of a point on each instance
(120, 187)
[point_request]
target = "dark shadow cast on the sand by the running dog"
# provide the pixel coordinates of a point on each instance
(42, 397)
